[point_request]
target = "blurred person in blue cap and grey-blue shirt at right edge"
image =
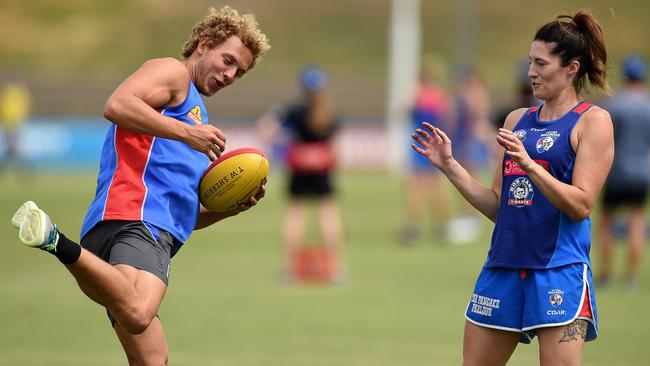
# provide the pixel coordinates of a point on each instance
(627, 184)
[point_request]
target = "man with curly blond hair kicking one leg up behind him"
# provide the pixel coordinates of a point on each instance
(146, 205)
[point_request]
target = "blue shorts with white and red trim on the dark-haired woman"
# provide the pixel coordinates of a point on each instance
(525, 300)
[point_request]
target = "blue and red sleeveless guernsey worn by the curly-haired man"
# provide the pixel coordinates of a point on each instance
(151, 179)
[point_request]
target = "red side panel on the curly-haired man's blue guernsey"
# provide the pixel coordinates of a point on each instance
(127, 191)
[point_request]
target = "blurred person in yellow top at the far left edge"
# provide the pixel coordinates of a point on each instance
(15, 107)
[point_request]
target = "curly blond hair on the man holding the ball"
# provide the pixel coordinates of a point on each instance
(220, 25)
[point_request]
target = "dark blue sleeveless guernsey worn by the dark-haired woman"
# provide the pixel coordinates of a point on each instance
(530, 232)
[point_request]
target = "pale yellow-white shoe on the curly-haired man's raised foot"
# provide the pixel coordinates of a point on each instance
(35, 227)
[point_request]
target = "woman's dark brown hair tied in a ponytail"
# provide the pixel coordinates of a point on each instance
(579, 37)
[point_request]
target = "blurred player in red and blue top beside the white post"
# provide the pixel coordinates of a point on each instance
(426, 189)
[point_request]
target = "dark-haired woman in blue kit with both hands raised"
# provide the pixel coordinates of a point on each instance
(536, 280)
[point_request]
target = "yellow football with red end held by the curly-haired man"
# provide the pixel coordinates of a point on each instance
(232, 179)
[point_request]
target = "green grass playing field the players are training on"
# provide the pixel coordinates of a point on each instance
(226, 305)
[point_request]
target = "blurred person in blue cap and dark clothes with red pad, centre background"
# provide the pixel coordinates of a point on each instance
(309, 128)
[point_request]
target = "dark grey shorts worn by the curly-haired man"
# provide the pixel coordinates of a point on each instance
(131, 243)
